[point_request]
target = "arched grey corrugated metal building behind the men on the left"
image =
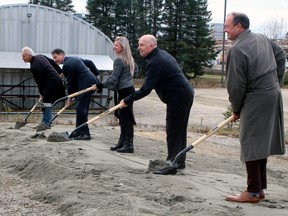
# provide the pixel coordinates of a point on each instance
(43, 29)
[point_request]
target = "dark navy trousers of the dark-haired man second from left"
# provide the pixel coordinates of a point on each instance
(83, 102)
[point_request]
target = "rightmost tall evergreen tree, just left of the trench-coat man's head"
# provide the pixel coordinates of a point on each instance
(199, 46)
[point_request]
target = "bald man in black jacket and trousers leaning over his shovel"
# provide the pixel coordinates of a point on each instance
(164, 74)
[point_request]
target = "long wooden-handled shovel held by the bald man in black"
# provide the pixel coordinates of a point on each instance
(66, 136)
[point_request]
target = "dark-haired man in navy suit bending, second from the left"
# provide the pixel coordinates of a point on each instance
(78, 77)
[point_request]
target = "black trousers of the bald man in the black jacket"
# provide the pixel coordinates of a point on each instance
(177, 117)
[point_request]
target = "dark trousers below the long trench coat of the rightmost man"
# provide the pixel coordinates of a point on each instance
(257, 177)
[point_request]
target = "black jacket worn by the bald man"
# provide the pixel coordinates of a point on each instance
(164, 74)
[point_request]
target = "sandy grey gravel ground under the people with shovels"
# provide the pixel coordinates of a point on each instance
(85, 178)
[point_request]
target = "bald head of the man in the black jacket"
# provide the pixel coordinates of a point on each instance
(146, 44)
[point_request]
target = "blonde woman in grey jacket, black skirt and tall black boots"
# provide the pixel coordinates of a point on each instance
(121, 80)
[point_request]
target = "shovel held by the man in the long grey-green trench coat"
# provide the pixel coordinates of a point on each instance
(172, 169)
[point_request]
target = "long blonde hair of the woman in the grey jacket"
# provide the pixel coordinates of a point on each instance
(126, 55)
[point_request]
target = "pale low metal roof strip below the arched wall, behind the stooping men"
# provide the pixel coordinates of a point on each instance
(14, 60)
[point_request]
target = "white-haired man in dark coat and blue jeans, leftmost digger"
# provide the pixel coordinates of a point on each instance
(46, 74)
